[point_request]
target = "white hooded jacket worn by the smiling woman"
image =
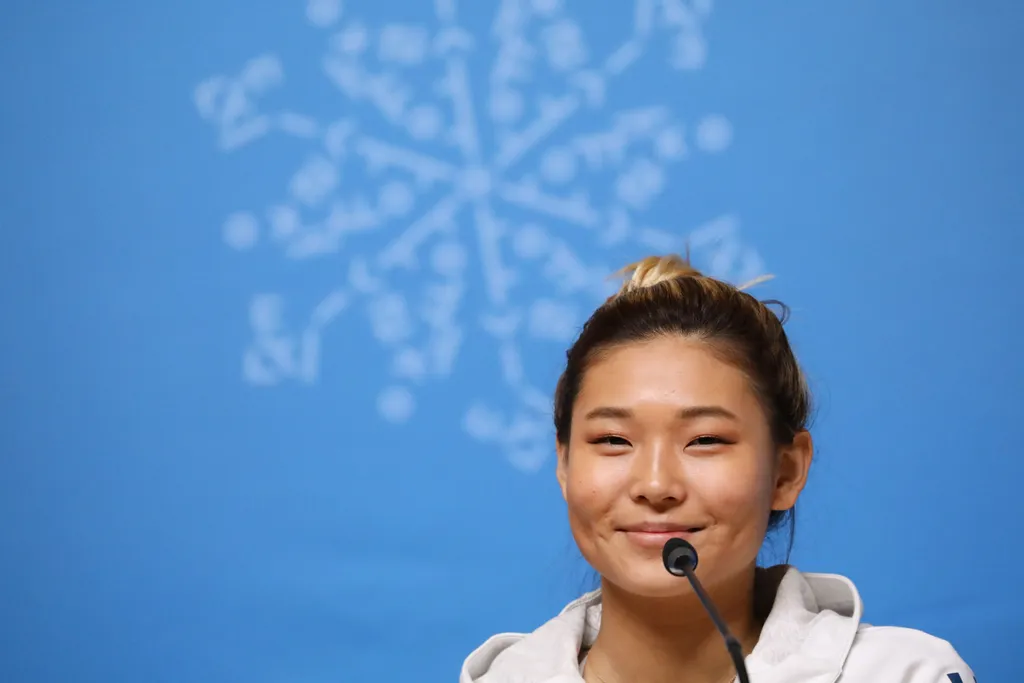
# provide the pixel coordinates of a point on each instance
(813, 635)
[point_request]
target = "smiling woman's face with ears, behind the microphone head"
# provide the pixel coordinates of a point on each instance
(669, 441)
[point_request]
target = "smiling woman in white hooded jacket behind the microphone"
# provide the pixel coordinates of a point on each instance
(682, 412)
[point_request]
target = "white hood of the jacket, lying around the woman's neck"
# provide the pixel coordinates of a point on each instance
(806, 637)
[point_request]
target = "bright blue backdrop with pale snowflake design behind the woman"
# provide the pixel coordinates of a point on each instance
(288, 286)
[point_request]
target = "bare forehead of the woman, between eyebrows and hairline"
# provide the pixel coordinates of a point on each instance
(671, 371)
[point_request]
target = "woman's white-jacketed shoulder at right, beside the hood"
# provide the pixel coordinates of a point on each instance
(905, 655)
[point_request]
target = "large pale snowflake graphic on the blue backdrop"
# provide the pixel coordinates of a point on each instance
(477, 192)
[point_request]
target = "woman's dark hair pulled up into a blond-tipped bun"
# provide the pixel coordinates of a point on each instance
(667, 296)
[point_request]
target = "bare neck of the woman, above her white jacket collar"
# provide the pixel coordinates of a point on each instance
(659, 641)
